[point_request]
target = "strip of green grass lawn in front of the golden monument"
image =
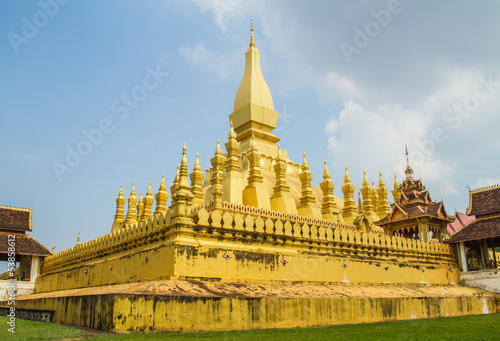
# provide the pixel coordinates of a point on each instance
(480, 327)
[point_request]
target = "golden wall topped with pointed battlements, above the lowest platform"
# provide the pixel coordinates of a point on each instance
(160, 250)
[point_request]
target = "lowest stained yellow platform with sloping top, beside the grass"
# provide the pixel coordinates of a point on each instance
(180, 306)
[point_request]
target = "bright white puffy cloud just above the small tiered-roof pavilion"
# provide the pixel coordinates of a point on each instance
(367, 139)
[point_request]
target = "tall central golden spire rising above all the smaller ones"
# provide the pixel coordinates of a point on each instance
(254, 117)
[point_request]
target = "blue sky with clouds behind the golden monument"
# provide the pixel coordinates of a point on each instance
(353, 82)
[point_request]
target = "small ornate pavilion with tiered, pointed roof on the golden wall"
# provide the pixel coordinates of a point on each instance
(414, 214)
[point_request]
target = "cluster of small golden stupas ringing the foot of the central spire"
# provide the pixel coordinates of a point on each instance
(291, 193)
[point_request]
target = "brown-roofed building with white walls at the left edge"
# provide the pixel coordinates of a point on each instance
(23, 253)
